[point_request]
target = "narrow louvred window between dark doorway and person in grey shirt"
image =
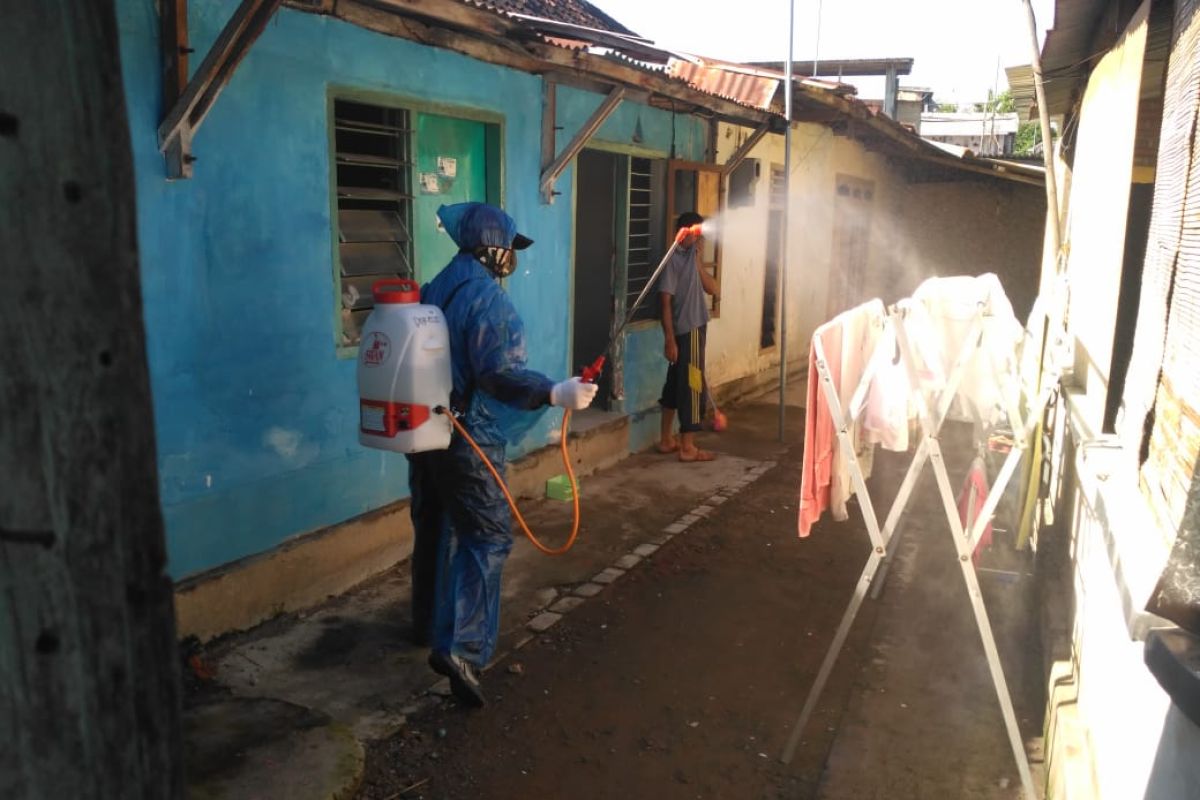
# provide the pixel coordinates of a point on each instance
(647, 230)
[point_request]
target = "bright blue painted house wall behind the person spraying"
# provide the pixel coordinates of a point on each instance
(256, 413)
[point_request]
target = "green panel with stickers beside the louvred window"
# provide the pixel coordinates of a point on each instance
(453, 166)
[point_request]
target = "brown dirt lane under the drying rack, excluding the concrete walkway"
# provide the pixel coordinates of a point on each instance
(686, 677)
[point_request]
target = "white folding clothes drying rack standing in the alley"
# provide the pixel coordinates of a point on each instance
(933, 417)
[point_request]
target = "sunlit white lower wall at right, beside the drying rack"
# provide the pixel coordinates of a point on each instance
(1112, 731)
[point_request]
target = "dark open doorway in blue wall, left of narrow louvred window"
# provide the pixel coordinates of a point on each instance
(596, 263)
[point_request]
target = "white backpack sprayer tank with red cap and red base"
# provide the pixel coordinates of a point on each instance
(404, 372)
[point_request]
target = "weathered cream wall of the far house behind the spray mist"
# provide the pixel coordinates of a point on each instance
(917, 231)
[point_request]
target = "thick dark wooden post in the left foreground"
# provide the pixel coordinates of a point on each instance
(89, 685)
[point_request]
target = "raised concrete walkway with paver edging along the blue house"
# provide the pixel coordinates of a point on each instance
(350, 661)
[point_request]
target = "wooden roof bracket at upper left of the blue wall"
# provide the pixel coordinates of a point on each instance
(179, 125)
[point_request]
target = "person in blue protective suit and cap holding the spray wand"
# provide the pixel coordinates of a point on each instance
(461, 519)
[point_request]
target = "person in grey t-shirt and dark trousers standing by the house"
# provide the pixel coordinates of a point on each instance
(682, 290)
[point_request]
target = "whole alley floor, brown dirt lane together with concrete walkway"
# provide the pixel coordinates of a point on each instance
(669, 654)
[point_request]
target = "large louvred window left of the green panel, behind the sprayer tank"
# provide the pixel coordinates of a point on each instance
(375, 206)
